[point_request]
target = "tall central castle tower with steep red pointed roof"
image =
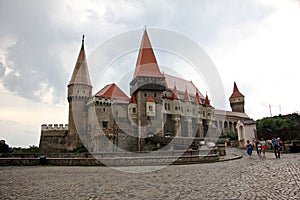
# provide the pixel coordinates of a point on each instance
(147, 86)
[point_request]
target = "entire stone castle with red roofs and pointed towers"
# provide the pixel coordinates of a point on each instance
(159, 105)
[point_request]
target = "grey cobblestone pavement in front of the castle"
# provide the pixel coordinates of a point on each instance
(246, 178)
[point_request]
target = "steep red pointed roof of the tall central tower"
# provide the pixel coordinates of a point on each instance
(146, 64)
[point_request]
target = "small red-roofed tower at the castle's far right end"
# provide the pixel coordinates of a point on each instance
(237, 100)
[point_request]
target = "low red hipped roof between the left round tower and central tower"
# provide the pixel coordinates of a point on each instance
(112, 91)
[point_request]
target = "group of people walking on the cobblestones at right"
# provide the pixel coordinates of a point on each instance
(261, 146)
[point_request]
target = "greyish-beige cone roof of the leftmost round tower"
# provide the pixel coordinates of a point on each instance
(81, 73)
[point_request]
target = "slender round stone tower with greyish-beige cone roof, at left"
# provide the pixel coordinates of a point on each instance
(79, 92)
